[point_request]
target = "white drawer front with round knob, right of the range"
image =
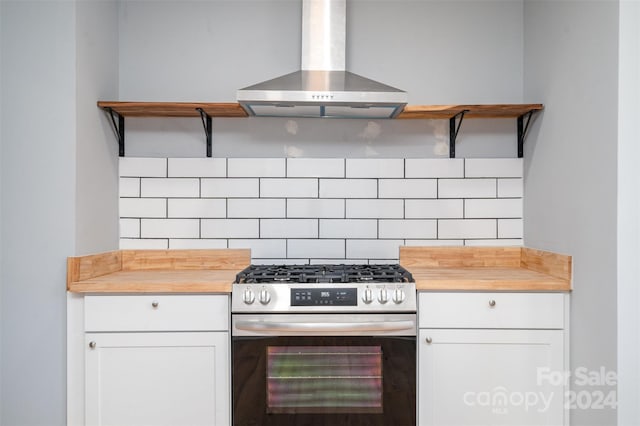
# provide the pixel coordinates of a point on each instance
(491, 310)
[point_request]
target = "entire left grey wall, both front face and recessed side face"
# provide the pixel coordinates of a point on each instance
(58, 189)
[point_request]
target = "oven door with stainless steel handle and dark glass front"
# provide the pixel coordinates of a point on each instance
(337, 369)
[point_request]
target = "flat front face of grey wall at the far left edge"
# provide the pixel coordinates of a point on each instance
(38, 186)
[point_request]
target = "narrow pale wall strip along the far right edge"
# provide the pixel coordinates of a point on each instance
(629, 216)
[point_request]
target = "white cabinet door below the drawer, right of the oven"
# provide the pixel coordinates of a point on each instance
(490, 377)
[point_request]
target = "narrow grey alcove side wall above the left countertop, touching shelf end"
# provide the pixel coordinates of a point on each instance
(96, 149)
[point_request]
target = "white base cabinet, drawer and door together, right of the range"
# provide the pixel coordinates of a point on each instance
(491, 358)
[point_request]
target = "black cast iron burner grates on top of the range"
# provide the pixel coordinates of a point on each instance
(384, 273)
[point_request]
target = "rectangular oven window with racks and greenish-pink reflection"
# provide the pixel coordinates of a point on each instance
(324, 379)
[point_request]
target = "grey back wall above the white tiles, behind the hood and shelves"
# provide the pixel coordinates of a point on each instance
(440, 52)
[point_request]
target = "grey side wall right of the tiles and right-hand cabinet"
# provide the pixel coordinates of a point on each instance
(571, 65)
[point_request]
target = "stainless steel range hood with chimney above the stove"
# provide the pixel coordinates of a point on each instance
(323, 87)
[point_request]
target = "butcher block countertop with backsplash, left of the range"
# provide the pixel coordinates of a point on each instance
(156, 271)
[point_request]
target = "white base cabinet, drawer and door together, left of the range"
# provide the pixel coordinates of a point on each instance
(156, 360)
